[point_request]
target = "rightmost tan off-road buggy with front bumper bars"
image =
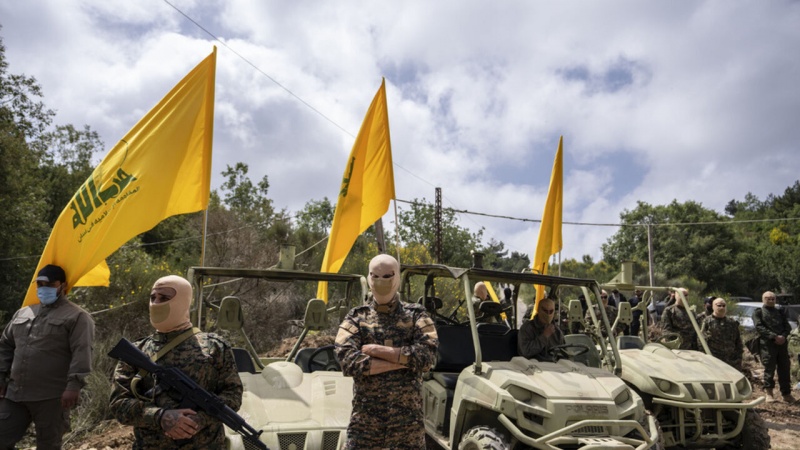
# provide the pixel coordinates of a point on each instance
(699, 401)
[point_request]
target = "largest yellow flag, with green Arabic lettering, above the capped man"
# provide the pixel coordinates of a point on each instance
(161, 168)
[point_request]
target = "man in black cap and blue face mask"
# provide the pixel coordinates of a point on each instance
(45, 357)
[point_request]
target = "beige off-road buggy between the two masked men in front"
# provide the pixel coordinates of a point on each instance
(301, 401)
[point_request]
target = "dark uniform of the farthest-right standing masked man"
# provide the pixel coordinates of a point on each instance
(769, 323)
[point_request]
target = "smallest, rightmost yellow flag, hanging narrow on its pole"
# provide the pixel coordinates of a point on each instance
(550, 232)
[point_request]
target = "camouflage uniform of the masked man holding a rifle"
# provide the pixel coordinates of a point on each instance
(205, 358)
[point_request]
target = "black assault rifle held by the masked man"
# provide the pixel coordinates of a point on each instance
(194, 396)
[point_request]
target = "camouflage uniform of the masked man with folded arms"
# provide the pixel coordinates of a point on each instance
(387, 407)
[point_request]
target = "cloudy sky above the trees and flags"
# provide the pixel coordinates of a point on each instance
(656, 100)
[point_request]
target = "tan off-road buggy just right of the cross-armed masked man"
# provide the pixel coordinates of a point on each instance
(482, 395)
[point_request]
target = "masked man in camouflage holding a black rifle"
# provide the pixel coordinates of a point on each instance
(157, 418)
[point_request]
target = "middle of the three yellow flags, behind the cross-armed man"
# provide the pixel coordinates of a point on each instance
(367, 187)
